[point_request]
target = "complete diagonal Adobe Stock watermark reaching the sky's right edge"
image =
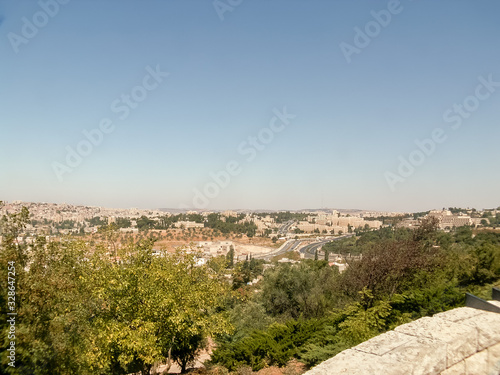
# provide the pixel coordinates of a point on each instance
(454, 116)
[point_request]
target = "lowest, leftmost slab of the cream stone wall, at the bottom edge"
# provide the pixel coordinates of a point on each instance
(353, 362)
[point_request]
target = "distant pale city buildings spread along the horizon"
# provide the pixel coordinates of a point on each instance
(51, 218)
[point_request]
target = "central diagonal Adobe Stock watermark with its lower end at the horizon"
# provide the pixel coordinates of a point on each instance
(249, 150)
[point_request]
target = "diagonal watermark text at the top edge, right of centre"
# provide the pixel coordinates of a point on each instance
(364, 36)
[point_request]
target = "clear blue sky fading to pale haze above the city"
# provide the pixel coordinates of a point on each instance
(356, 84)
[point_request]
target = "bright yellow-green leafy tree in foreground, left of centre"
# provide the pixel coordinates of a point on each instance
(161, 308)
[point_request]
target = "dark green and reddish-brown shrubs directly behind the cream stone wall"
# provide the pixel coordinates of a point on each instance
(403, 275)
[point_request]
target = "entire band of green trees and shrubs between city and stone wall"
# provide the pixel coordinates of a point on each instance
(100, 309)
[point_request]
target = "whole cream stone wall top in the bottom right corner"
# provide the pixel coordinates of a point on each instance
(462, 341)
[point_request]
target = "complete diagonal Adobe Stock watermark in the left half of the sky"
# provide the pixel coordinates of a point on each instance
(122, 108)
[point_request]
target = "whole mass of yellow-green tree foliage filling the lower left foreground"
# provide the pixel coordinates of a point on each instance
(83, 310)
